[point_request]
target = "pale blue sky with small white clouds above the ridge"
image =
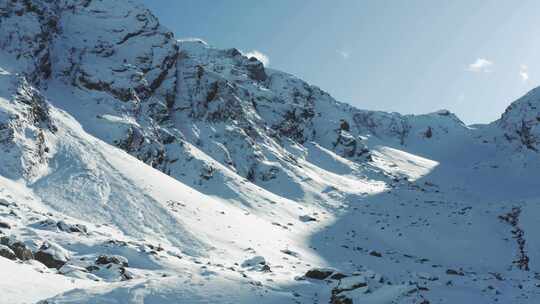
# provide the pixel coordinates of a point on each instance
(471, 57)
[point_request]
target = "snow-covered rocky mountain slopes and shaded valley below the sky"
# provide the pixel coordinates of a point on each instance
(138, 168)
